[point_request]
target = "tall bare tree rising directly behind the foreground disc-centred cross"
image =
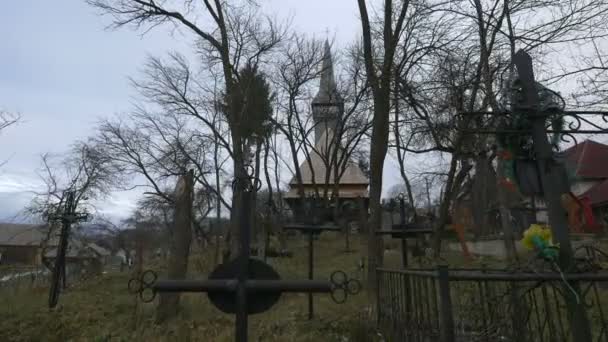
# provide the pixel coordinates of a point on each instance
(233, 35)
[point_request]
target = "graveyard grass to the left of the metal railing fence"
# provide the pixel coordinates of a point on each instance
(101, 309)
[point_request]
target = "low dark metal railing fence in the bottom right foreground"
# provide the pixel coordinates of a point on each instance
(487, 305)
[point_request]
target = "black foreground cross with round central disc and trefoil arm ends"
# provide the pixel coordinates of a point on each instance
(242, 286)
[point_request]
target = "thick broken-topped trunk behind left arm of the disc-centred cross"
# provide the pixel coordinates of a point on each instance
(180, 246)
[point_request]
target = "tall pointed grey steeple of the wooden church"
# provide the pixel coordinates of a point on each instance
(327, 105)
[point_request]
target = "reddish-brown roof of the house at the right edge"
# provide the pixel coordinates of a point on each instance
(588, 160)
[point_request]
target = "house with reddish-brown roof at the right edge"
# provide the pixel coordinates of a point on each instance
(587, 165)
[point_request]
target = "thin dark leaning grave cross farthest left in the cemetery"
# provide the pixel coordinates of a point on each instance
(66, 216)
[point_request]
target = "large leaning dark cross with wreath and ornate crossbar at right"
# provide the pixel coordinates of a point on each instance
(528, 104)
